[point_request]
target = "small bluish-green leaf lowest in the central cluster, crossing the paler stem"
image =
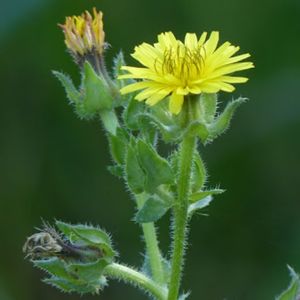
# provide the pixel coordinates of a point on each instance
(152, 210)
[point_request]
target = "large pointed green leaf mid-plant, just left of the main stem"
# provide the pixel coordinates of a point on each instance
(156, 168)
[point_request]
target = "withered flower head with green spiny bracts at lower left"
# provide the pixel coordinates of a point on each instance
(74, 257)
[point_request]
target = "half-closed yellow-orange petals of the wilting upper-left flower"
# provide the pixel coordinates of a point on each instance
(84, 34)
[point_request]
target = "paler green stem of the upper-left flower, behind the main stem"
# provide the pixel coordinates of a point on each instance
(152, 247)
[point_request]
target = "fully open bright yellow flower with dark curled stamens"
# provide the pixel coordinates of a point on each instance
(176, 69)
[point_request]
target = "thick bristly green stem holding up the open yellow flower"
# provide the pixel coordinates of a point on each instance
(181, 214)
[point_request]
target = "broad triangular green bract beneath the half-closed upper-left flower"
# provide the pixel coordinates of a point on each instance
(97, 94)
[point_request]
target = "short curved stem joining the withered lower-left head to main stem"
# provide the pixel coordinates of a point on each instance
(127, 274)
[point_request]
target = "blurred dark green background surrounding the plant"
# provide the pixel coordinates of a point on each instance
(54, 166)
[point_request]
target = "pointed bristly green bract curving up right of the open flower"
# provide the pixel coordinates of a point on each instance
(222, 122)
